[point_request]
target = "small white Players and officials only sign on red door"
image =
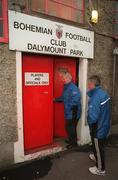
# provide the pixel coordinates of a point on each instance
(36, 79)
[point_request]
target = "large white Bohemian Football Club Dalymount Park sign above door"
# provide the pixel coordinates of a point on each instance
(33, 34)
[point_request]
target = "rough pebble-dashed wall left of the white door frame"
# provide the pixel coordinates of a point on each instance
(8, 109)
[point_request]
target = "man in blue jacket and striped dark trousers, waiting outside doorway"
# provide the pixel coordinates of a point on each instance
(99, 123)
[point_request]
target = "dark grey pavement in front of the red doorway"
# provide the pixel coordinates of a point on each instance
(70, 165)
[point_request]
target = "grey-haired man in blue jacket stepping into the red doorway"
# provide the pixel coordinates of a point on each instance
(72, 106)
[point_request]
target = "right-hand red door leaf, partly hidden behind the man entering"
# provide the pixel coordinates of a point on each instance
(59, 122)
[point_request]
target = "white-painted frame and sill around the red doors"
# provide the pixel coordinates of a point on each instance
(82, 129)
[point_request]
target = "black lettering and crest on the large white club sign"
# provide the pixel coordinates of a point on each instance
(57, 46)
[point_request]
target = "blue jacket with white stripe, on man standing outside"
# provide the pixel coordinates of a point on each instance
(99, 111)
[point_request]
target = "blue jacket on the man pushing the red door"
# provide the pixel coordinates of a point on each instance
(71, 98)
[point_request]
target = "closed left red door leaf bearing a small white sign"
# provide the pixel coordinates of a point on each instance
(37, 100)
